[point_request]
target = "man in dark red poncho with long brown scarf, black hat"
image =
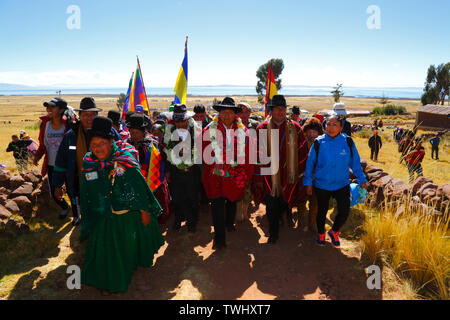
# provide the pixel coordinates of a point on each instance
(281, 187)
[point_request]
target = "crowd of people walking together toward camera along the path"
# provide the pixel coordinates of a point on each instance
(123, 177)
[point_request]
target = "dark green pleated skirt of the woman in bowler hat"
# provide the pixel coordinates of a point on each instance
(116, 247)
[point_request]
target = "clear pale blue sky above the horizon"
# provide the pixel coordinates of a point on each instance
(321, 42)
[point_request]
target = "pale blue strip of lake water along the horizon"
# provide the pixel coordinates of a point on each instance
(360, 92)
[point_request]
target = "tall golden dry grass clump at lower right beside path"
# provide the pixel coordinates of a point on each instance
(415, 245)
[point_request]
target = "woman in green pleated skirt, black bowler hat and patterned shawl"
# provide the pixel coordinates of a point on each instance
(119, 212)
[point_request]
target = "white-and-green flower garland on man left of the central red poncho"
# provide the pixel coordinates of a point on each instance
(169, 144)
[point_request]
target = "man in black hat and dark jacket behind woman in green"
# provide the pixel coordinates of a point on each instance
(71, 152)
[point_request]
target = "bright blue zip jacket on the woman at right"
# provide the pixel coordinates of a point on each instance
(332, 171)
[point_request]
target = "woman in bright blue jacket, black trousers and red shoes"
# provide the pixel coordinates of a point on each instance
(328, 170)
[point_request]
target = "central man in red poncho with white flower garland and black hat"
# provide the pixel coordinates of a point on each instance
(227, 169)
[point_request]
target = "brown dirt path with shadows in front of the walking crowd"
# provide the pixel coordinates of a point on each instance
(186, 267)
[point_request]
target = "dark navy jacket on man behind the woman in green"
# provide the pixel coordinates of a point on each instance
(66, 170)
